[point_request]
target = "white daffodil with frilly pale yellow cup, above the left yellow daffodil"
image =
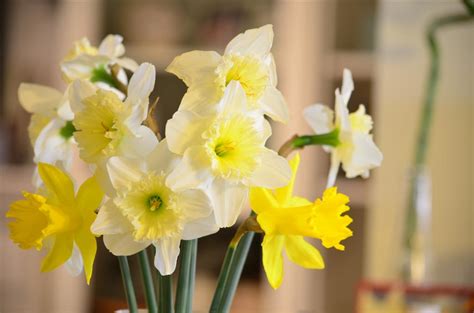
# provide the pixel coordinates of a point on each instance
(106, 126)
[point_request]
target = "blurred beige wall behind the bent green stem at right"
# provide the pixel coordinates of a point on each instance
(400, 79)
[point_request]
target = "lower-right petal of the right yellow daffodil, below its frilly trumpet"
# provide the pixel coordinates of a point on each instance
(302, 253)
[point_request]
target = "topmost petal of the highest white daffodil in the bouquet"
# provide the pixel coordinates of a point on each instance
(256, 41)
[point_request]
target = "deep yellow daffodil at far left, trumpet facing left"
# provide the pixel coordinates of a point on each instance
(58, 218)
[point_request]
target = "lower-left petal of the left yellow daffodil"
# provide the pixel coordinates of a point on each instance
(60, 253)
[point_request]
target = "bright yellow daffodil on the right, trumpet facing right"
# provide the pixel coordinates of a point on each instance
(286, 219)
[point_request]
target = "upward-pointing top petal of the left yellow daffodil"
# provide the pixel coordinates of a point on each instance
(58, 184)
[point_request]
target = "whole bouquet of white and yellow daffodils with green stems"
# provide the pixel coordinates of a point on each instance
(161, 192)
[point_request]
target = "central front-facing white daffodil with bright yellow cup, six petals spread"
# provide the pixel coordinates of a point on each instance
(225, 153)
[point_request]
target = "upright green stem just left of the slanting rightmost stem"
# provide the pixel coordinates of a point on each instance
(187, 269)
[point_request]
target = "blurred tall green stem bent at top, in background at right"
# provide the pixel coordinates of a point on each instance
(427, 114)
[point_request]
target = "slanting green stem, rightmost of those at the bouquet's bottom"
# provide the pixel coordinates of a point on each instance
(229, 276)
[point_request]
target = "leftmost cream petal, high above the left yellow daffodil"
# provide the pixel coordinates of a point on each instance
(39, 99)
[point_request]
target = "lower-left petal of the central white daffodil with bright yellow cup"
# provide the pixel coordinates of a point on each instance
(192, 172)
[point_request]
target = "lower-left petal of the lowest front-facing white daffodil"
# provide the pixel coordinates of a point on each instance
(110, 221)
